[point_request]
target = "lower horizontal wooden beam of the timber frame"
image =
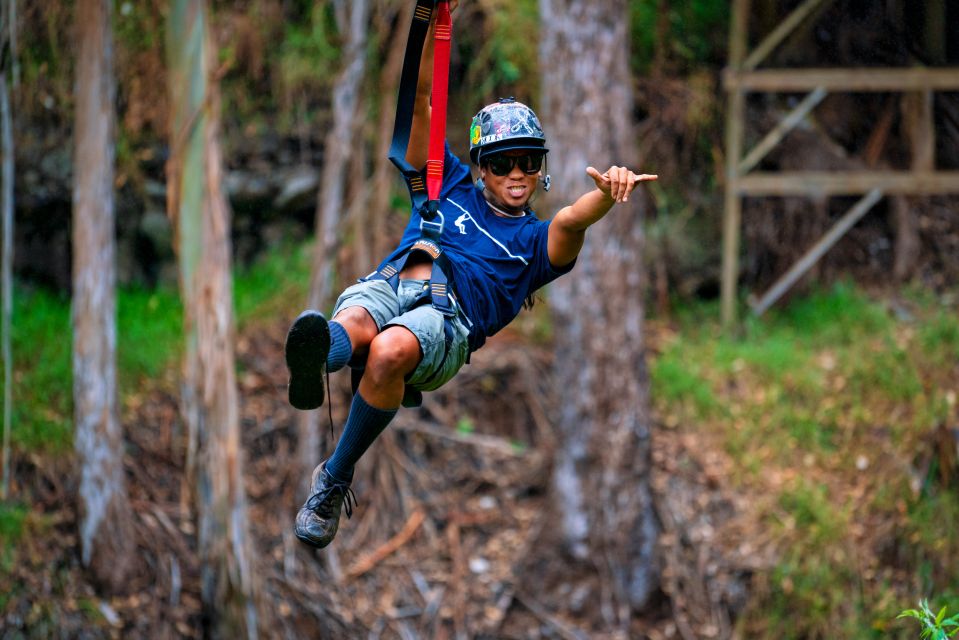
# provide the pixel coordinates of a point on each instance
(804, 183)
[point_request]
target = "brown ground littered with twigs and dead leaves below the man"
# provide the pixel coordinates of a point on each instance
(454, 534)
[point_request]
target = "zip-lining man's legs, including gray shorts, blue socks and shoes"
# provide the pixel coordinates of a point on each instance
(416, 345)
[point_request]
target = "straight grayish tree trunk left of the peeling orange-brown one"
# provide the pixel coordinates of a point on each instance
(106, 528)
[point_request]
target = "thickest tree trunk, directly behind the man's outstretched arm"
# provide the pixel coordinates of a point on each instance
(601, 476)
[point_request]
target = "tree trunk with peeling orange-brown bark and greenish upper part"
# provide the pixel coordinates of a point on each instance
(210, 401)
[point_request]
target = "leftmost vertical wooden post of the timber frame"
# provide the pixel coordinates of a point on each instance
(735, 113)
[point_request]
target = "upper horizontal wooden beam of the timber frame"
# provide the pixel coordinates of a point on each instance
(868, 79)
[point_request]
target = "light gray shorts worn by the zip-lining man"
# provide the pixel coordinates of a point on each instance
(390, 308)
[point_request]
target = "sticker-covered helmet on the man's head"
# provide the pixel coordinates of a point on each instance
(503, 126)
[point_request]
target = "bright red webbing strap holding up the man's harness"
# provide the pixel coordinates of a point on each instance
(441, 77)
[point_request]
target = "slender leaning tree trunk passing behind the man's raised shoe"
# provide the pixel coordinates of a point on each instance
(353, 21)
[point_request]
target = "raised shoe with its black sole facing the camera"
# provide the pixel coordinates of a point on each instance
(307, 345)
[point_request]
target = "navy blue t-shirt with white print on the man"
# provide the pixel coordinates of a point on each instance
(496, 261)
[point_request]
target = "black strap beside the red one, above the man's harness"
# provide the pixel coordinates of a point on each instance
(406, 101)
